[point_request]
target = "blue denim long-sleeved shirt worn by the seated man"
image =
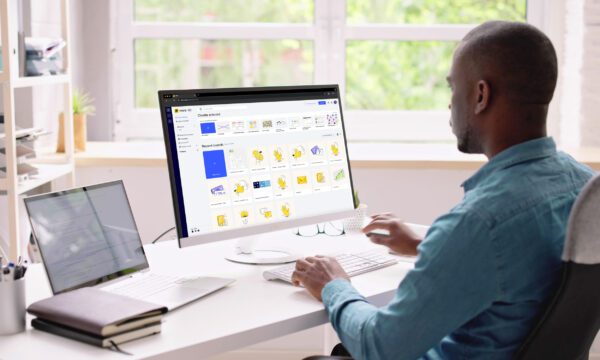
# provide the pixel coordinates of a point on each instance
(485, 270)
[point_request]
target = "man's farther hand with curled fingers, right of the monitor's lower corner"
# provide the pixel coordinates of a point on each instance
(401, 240)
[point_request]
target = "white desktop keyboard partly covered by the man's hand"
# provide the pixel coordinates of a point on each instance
(353, 264)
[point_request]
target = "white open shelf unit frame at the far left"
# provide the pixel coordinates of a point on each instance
(10, 80)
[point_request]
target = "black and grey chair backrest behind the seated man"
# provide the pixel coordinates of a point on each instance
(572, 319)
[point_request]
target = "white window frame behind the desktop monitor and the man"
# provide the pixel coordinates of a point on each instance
(329, 34)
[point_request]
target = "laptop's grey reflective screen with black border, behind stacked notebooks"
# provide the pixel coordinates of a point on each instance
(86, 235)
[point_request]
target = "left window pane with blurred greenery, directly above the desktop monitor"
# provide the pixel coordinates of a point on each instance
(218, 63)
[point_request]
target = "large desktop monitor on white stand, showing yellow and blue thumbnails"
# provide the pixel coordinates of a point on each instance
(246, 161)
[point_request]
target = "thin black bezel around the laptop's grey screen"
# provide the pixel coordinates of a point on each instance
(102, 279)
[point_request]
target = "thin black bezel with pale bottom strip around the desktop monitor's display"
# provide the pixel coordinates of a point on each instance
(256, 229)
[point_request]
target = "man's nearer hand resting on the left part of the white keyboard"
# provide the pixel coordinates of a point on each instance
(314, 272)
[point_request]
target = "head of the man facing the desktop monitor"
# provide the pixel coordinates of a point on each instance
(502, 78)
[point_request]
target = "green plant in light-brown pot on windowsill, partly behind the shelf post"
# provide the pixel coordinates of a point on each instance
(82, 107)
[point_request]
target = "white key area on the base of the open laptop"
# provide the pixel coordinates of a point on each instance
(144, 286)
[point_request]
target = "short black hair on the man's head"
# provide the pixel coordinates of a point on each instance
(520, 58)
